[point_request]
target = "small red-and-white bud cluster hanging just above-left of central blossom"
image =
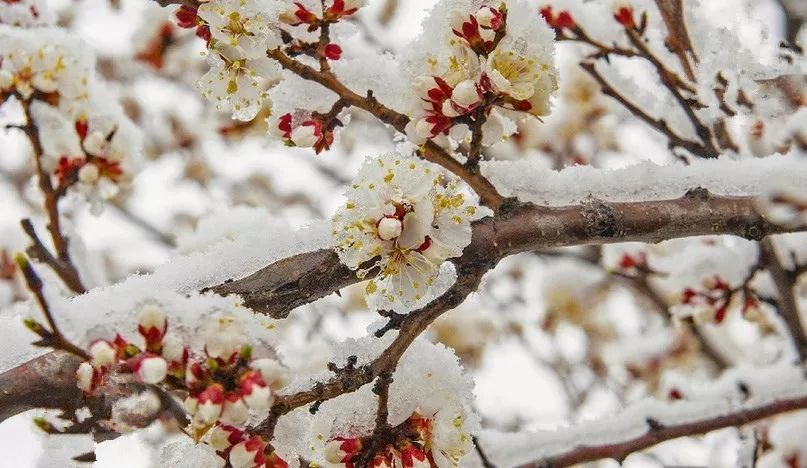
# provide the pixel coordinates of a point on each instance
(306, 130)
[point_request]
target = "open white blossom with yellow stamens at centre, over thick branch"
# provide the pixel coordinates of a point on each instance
(403, 218)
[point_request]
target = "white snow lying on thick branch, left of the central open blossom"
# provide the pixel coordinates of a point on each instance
(174, 285)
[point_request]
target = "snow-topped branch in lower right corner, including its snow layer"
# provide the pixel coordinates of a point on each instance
(739, 397)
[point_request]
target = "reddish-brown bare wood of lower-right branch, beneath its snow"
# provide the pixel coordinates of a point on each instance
(658, 433)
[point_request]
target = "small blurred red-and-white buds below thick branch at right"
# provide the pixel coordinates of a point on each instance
(716, 298)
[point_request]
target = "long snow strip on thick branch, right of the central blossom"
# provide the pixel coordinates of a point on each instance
(530, 181)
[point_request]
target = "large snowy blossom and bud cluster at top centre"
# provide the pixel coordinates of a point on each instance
(494, 60)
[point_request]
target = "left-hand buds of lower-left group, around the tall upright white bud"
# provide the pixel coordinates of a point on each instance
(151, 362)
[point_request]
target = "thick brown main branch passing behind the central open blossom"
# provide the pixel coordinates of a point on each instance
(284, 285)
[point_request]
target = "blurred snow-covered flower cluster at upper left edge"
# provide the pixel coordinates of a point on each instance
(87, 142)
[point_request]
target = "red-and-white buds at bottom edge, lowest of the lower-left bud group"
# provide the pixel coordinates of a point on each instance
(241, 449)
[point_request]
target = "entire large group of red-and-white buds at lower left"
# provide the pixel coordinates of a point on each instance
(222, 384)
